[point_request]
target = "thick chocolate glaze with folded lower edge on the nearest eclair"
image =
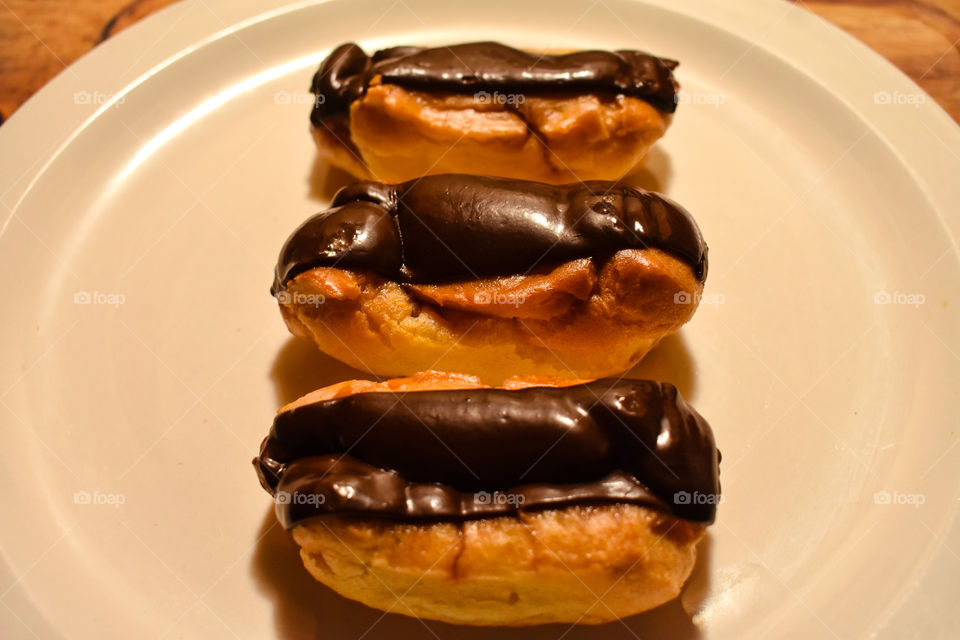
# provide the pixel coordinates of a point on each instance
(461, 454)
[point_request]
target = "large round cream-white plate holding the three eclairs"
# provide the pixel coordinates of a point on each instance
(161, 173)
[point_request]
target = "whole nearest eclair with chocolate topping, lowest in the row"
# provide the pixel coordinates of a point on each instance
(534, 502)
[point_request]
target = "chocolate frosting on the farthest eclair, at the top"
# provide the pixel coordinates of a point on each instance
(492, 67)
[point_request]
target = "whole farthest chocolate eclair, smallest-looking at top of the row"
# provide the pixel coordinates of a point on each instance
(487, 108)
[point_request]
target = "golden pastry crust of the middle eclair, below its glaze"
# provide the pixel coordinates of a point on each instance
(549, 325)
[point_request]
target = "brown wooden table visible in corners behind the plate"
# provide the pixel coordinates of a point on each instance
(38, 38)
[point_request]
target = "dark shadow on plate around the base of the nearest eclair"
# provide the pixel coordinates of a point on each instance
(306, 610)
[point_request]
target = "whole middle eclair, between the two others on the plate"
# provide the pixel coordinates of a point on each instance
(491, 276)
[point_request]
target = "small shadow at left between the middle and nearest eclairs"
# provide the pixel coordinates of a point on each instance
(300, 367)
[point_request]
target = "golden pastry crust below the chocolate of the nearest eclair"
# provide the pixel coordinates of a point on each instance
(579, 564)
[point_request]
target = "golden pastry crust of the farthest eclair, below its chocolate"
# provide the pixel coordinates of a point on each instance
(395, 134)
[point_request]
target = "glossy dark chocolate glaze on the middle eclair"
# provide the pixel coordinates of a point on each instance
(459, 227)
